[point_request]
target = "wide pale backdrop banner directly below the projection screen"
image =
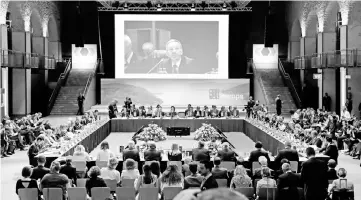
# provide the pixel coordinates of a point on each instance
(178, 93)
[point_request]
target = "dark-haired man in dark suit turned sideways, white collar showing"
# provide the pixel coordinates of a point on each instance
(209, 182)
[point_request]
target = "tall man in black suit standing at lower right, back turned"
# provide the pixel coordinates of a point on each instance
(314, 176)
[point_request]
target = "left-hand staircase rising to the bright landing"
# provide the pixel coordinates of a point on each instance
(66, 102)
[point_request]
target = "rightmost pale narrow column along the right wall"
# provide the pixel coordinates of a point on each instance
(343, 71)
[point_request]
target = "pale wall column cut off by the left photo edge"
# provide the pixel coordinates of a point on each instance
(4, 74)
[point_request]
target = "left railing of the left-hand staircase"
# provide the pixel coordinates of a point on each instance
(61, 82)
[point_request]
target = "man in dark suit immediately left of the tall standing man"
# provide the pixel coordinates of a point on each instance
(288, 183)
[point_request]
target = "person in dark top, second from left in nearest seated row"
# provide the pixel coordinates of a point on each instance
(55, 180)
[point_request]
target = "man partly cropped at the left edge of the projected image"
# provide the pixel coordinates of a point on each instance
(131, 60)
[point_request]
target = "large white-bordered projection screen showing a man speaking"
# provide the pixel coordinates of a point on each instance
(171, 46)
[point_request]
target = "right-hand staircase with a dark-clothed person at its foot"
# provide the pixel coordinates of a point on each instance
(272, 86)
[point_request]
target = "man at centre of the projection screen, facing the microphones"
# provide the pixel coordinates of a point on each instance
(176, 63)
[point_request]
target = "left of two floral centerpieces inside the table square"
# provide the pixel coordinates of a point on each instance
(152, 132)
